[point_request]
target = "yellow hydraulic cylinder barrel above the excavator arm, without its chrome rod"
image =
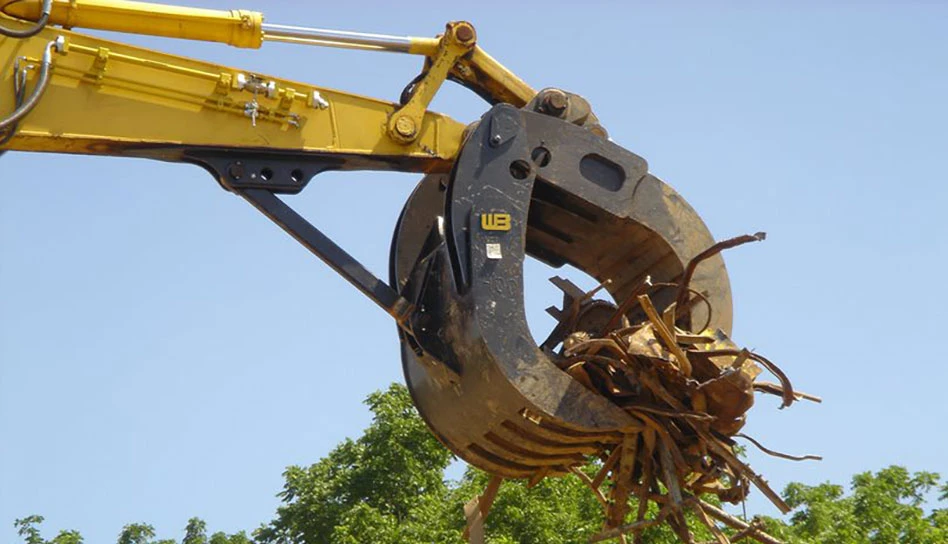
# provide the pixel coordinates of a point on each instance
(240, 28)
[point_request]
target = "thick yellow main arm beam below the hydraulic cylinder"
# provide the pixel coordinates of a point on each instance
(107, 98)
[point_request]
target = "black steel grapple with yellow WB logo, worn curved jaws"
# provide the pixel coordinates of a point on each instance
(526, 183)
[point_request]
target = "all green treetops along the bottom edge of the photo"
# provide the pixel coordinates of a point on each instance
(388, 487)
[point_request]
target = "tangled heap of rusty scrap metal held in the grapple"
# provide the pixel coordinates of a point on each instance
(690, 389)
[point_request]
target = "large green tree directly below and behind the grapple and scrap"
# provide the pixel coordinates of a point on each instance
(389, 487)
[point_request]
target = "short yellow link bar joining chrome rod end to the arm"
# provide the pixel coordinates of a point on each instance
(458, 39)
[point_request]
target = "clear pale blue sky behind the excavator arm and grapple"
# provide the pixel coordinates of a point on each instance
(165, 351)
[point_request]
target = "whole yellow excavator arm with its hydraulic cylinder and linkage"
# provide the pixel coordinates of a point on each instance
(102, 97)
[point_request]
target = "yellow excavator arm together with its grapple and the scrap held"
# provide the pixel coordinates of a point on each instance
(648, 383)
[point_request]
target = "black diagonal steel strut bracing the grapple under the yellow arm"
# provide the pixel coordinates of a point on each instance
(337, 258)
